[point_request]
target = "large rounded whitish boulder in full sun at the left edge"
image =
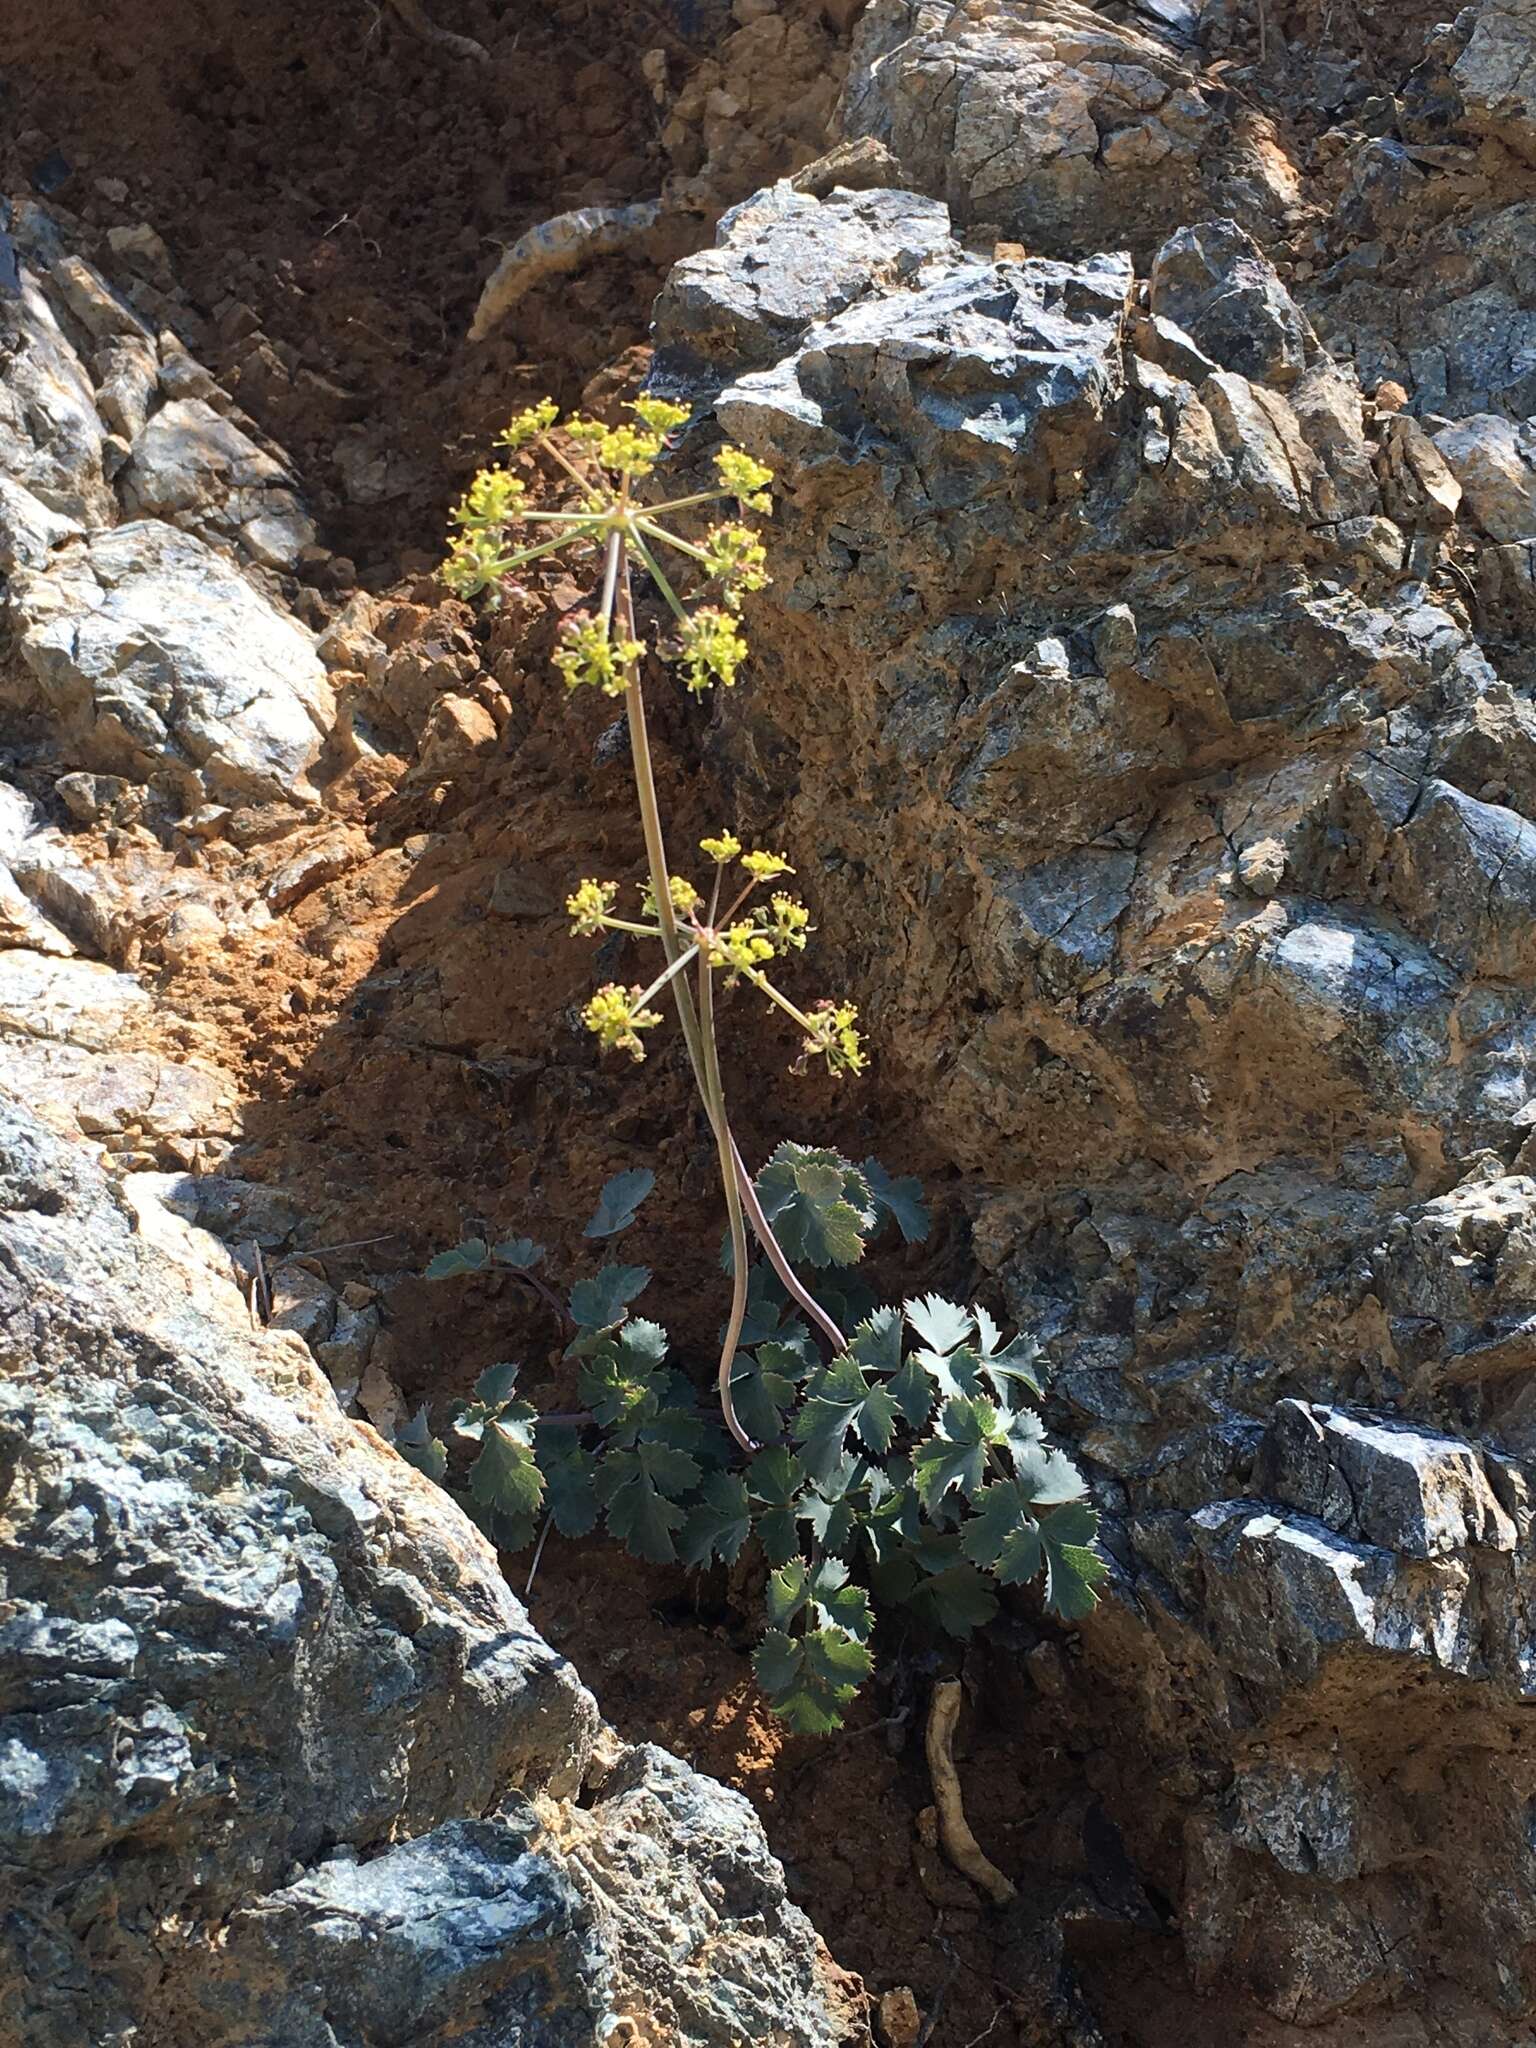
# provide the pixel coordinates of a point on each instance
(161, 663)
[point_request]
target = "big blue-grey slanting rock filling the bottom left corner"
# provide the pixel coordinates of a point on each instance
(282, 1758)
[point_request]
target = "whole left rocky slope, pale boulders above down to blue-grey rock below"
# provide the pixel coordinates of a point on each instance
(282, 1758)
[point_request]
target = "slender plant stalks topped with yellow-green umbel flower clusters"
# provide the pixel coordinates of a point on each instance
(712, 933)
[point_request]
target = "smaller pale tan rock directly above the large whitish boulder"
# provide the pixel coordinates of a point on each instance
(200, 472)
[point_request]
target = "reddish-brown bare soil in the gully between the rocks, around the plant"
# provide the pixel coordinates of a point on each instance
(413, 1058)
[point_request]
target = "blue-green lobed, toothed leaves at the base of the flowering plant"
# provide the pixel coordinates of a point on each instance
(910, 1471)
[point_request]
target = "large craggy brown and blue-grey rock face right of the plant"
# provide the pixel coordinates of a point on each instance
(1170, 806)
